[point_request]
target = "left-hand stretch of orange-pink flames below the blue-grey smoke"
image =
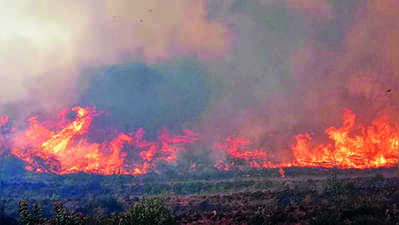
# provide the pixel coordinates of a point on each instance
(67, 150)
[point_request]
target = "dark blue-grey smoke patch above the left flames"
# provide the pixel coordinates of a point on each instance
(137, 95)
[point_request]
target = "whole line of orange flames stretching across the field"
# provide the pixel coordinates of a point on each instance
(63, 147)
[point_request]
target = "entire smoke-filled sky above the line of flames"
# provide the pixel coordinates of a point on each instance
(264, 69)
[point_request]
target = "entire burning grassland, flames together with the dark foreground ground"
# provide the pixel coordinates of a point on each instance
(76, 180)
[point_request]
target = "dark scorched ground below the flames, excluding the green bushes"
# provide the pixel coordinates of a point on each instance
(304, 196)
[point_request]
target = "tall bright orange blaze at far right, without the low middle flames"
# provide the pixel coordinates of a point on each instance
(375, 146)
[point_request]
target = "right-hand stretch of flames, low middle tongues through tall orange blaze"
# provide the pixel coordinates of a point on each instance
(376, 146)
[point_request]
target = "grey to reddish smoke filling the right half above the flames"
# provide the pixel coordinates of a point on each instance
(298, 64)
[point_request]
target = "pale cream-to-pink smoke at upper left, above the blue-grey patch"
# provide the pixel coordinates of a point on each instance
(44, 45)
